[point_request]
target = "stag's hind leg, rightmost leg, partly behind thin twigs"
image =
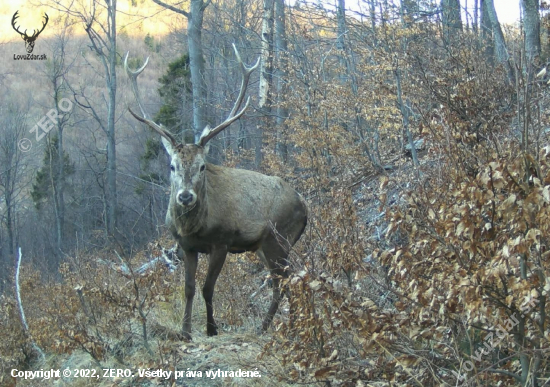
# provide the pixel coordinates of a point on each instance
(275, 258)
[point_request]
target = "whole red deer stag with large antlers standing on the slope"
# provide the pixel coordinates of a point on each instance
(215, 210)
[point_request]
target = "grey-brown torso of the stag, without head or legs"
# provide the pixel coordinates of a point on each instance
(238, 208)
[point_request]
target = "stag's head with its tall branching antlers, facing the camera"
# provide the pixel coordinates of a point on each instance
(188, 161)
